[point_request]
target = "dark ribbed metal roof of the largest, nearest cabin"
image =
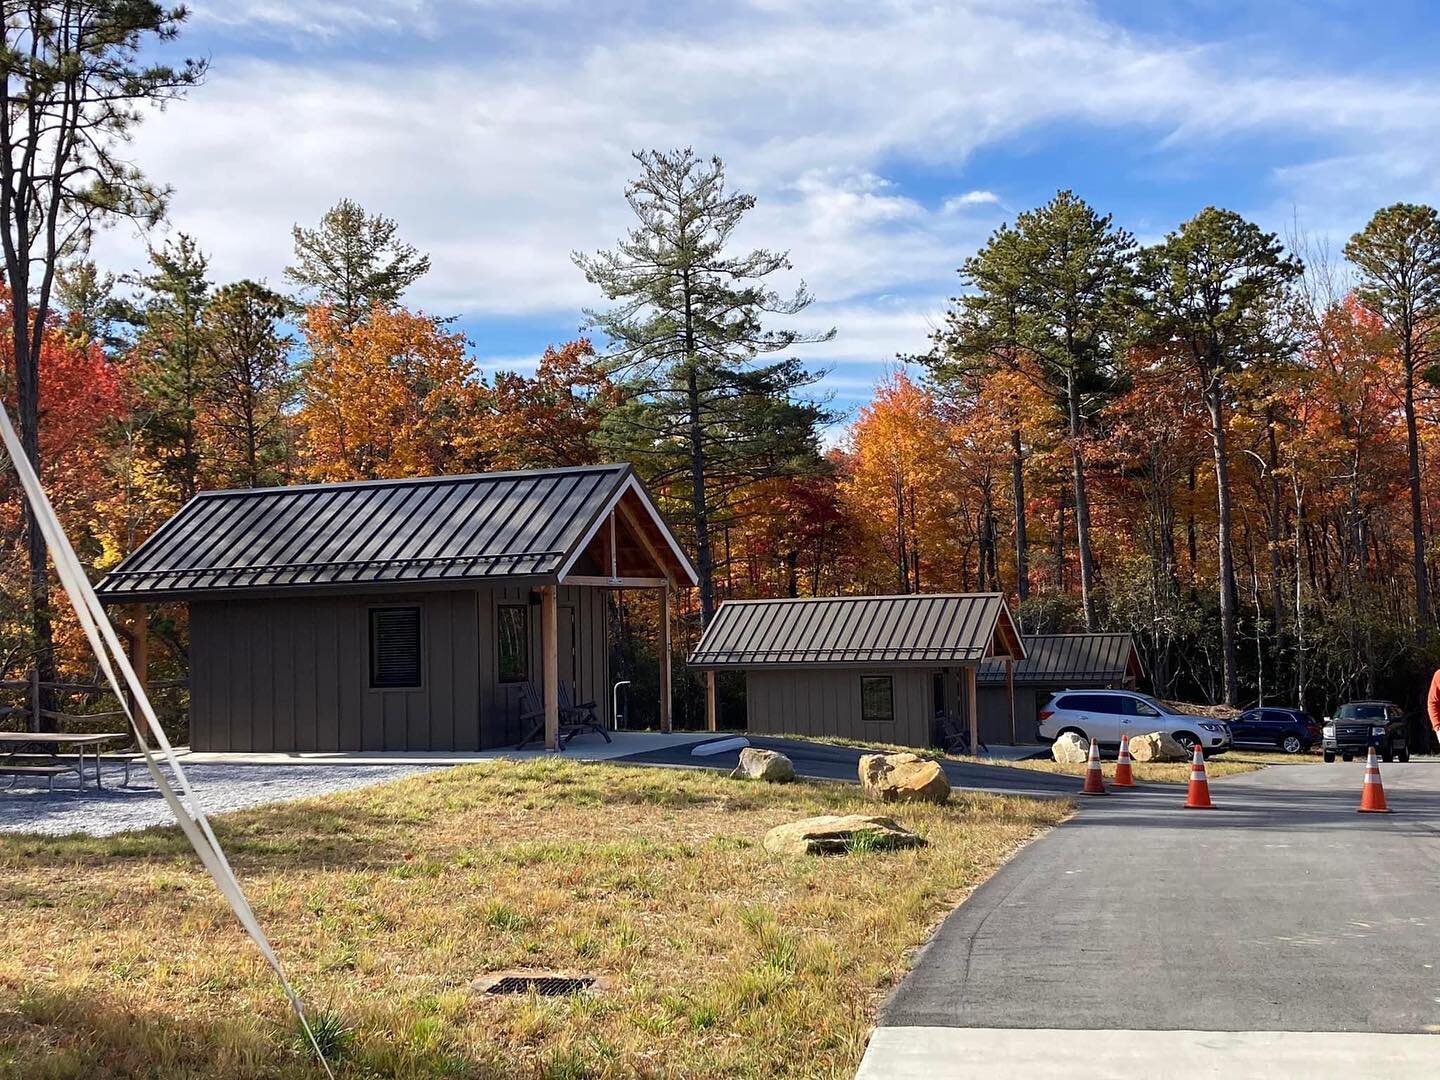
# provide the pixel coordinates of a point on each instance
(417, 531)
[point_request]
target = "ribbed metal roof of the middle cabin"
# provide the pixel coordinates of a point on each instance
(958, 629)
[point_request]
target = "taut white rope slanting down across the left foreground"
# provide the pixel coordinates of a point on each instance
(109, 653)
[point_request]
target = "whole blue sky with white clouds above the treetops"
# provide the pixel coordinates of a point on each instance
(883, 139)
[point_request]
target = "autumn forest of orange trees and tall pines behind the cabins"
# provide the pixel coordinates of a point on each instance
(1219, 443)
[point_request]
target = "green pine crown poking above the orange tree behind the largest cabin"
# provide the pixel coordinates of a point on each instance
(354, 263)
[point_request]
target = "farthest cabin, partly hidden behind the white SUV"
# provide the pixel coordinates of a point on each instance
(1053, 663)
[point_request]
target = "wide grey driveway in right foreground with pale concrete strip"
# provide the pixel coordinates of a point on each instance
(1282, 912)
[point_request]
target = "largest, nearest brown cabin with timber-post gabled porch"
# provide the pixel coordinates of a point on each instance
(404, 614)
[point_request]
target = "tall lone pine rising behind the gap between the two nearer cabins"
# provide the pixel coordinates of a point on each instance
(686, 345)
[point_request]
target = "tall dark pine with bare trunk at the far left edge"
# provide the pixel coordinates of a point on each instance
(74, 90)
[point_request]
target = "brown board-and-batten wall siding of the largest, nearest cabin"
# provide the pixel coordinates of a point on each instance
(293, 675)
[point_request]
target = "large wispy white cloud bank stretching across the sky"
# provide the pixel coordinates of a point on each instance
(500, 161)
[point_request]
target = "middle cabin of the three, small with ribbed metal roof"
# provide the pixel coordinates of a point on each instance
(873, 669)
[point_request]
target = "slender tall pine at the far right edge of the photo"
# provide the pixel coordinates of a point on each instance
(1399, 261)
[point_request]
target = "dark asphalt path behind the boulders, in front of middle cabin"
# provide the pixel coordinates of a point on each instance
(824, 762)
